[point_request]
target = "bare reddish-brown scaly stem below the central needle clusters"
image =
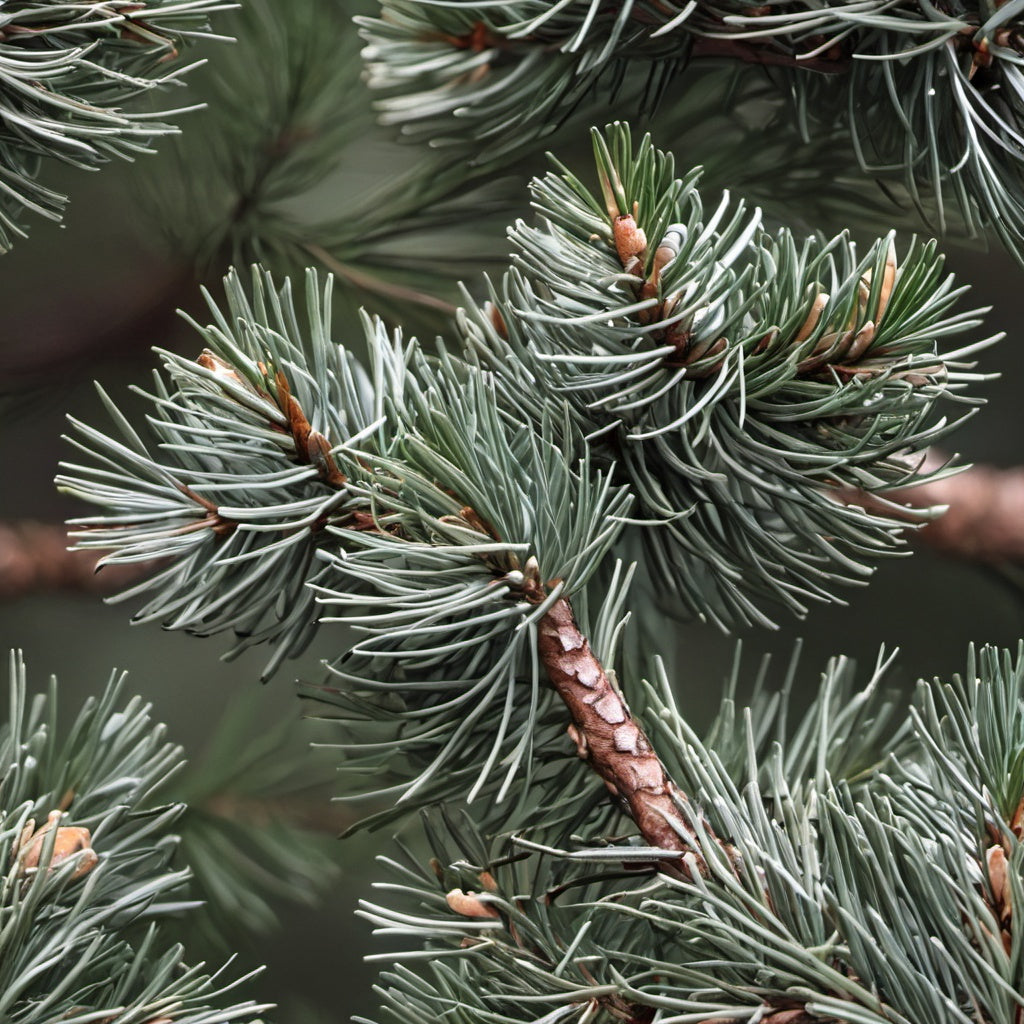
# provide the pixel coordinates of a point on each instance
(608, 737)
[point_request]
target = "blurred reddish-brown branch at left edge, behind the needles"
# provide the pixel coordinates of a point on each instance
(34, 559)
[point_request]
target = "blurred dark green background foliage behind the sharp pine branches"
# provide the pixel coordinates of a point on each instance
(287, 166)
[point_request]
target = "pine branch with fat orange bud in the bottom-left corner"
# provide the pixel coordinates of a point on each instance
(89, 891)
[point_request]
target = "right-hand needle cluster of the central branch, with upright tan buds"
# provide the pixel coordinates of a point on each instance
(713, 365)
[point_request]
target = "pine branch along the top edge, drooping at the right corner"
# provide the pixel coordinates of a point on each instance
(927, 96)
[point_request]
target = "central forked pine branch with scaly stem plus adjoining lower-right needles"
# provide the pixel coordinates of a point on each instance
(461, 513)
